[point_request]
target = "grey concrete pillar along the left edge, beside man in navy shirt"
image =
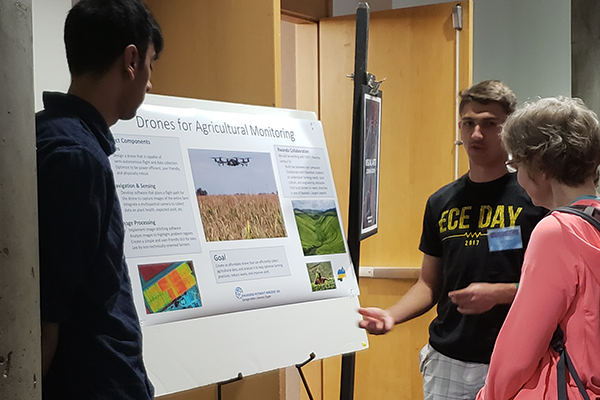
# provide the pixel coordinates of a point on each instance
(20, 376)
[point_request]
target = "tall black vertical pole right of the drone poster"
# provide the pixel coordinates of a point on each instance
(356, 170)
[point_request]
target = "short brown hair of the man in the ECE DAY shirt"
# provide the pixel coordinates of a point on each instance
(487, 92)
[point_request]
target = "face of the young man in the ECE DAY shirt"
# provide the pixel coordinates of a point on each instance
(480, 126)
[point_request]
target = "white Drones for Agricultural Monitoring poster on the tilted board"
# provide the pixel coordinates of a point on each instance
(227, 212)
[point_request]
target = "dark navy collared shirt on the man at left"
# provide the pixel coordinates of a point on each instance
(85, 285)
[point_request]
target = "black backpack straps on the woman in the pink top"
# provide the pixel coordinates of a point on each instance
(592, 215)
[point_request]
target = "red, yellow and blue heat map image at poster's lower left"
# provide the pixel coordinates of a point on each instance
(169, 286)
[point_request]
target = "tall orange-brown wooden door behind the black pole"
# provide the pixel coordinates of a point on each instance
(414, 50)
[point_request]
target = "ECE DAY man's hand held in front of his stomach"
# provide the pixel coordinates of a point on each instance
(476, 298)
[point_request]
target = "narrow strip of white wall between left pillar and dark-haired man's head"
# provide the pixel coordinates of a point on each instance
(49, 60)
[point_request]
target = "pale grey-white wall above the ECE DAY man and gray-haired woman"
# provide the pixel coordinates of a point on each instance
(525, 44)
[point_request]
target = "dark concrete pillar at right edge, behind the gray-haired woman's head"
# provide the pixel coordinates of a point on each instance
(585, 51)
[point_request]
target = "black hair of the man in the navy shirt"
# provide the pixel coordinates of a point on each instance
(98, 31)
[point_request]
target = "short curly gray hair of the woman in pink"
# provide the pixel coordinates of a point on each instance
(559, 136)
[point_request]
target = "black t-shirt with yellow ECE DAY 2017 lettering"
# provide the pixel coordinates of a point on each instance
(458, 218)
